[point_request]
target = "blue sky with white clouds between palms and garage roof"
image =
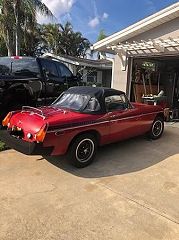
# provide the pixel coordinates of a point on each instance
(91, 16)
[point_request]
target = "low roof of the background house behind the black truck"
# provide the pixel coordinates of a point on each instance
(101, 63)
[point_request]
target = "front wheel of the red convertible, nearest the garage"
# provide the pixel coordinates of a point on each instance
(157, 128)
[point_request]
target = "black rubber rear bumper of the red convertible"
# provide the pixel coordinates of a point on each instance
(28, 148)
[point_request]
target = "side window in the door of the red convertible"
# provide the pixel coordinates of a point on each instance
(116, 102)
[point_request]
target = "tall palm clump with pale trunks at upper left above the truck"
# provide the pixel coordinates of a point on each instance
(16, 11)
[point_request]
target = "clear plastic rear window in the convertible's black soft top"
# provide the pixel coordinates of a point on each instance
(72, 101)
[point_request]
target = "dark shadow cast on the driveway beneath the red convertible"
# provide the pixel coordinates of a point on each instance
(124, 157)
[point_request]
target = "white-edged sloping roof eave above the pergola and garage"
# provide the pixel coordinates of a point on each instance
(142, 26)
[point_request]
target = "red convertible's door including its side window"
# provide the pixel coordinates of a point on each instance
(124, 121)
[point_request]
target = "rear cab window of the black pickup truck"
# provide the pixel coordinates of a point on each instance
(20, 67)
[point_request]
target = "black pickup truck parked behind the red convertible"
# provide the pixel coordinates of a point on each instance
(32, 81)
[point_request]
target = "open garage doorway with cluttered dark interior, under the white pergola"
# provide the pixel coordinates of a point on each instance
(155, 80)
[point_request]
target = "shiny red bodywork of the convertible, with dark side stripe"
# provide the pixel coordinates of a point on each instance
(65, 125)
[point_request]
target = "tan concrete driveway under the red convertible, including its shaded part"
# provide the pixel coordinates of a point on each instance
(130, 192)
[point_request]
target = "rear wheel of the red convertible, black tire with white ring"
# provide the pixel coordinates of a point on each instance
(83, 150)
